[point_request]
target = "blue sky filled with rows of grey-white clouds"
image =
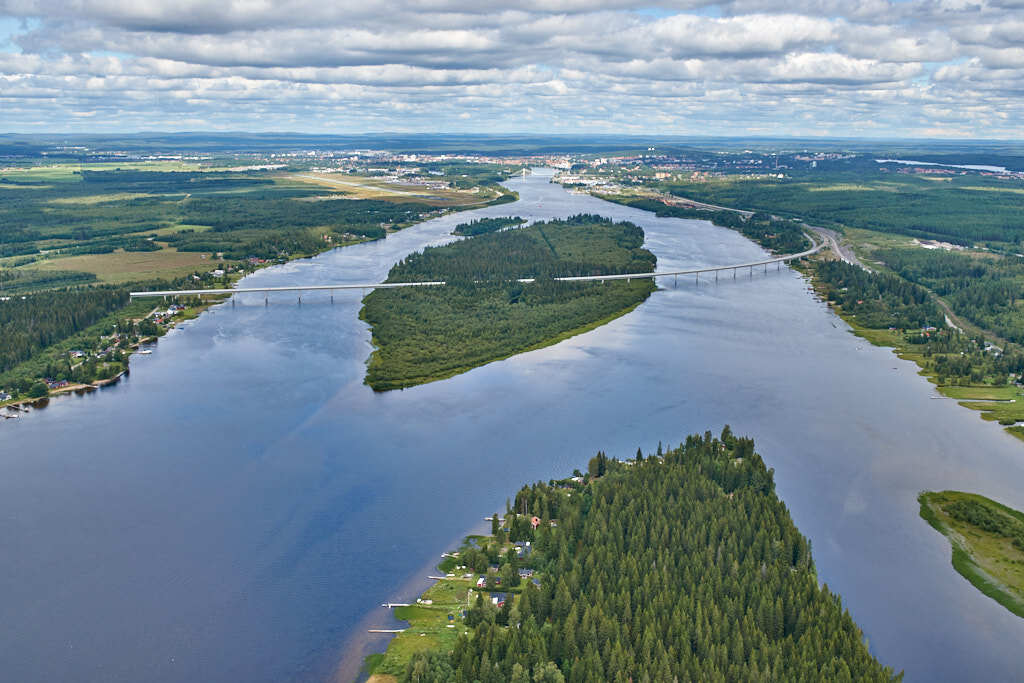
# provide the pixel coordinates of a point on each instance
(777, 68)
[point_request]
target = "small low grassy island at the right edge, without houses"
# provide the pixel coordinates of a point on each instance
(988, 539)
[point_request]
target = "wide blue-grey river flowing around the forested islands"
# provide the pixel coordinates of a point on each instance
(241, 506)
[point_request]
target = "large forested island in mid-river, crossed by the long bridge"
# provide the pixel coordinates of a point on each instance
(422, 334)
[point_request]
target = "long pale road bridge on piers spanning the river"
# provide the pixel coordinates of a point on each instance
(697, 273)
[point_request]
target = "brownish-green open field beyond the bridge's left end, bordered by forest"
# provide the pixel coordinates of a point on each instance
(121, 267)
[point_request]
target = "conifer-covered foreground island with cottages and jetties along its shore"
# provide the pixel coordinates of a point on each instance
(680, 566)
